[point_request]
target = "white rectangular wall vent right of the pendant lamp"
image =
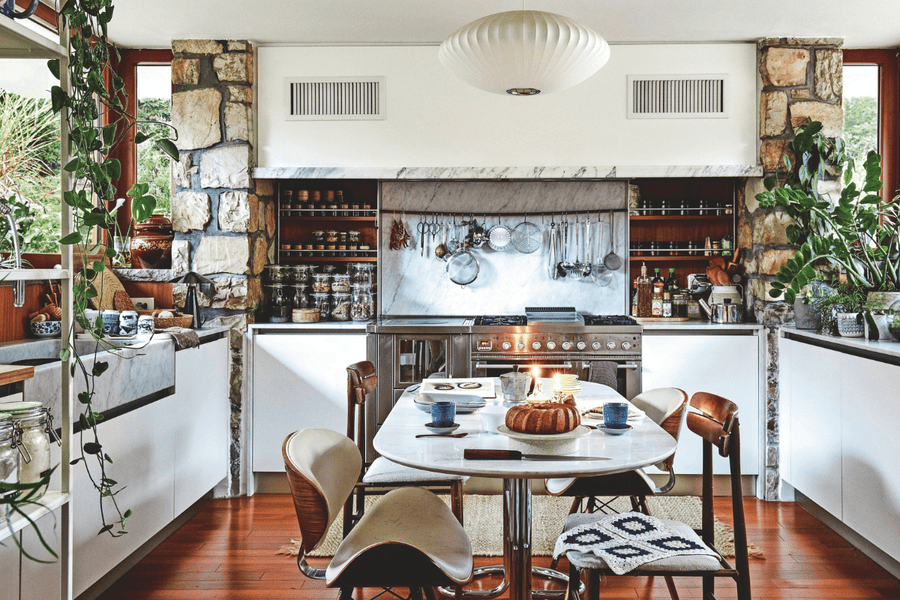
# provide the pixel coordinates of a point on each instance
(678, 96)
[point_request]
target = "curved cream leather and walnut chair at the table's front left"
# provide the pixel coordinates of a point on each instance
(409, 538)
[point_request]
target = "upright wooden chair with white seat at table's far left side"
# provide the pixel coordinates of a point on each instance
(382, 475)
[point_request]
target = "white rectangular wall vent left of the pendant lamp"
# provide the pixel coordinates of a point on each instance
(334, 98)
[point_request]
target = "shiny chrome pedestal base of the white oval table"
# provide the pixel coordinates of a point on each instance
(516, 568)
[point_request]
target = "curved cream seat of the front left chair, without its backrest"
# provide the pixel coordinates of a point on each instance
(411, 517)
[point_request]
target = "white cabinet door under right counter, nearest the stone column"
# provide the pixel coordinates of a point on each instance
(815, 408)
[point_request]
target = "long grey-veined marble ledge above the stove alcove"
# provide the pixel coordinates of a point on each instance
(507, 173)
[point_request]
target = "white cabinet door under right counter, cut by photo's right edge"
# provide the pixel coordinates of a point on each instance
(871, 475)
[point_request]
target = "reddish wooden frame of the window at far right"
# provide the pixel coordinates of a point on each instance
(888, 61)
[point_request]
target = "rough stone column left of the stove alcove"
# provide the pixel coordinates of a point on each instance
(222, 230)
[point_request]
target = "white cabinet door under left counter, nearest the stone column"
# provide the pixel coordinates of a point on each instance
(200, 428)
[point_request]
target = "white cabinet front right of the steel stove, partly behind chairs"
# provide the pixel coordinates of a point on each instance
(727, 365)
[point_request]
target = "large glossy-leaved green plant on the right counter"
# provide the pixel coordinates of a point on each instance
(857, 233)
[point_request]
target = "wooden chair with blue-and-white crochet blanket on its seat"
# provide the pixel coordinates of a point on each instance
(716, 422)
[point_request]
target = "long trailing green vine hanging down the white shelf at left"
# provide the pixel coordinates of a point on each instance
(94, 109)
